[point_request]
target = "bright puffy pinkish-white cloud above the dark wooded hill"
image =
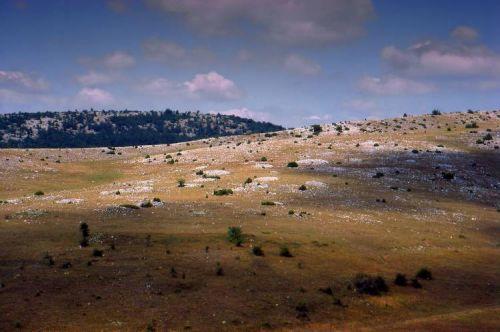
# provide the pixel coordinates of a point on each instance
(212, 85)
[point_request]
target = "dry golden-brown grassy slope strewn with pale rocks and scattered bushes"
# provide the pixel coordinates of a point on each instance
(371, 197)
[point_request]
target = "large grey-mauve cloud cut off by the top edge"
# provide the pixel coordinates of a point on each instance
(319, 22)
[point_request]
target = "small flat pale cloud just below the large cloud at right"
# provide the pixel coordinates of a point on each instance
(392, 85)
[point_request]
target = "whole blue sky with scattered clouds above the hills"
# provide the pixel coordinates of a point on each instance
(291, 62)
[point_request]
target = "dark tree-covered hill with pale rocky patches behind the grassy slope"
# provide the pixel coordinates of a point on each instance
(119, 128)
